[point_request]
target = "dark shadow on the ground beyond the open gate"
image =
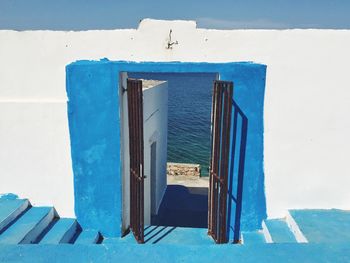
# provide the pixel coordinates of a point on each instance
(183, 207)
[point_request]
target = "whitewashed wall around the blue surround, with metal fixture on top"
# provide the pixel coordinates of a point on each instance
(307, 104)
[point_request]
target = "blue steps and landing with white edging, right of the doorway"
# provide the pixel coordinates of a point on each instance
(317, 226)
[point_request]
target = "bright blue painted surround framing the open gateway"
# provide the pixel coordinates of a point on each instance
(94, 123)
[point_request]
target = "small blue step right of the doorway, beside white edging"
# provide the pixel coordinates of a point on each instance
(279, 231)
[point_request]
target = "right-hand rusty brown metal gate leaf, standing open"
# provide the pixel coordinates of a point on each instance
(219, 163)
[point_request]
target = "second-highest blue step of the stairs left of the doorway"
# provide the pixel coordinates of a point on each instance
(29, 226)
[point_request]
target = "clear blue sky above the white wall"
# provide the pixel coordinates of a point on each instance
(219, 14)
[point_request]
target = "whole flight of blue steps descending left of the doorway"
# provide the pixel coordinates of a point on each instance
(21, 223)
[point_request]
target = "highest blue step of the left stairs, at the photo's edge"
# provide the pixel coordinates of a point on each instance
(10, 210)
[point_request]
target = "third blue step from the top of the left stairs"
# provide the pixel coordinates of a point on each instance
(62, 232)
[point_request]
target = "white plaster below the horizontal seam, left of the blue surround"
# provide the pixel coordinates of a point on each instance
(35, 160)
